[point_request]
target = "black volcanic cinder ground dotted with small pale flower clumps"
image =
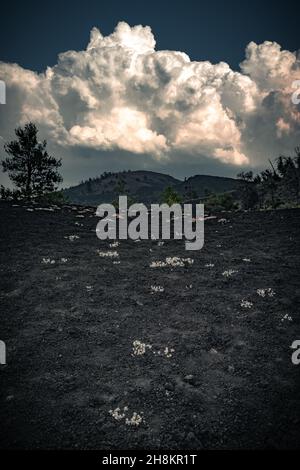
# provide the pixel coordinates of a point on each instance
(106, 352)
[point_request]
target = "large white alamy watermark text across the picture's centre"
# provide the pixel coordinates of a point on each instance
(155, 222)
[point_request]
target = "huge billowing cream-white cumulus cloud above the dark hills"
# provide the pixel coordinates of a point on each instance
(122, 94)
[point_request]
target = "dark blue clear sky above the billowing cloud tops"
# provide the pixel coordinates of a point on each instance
(34, 32)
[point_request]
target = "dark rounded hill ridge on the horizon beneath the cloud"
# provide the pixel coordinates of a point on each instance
(145, 186)
